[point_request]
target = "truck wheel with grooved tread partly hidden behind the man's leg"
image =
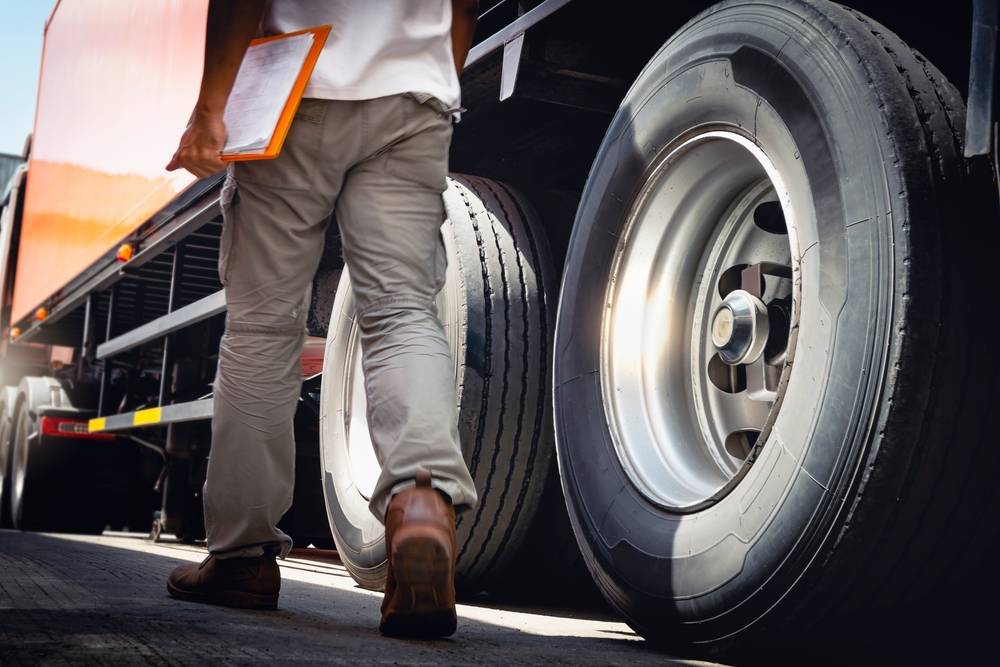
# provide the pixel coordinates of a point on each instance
(498, 320)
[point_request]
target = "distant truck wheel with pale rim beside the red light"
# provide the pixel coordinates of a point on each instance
(57, 482)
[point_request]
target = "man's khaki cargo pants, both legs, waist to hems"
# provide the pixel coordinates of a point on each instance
(381, 165)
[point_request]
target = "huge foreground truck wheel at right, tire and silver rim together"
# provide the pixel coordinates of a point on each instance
(798, 157)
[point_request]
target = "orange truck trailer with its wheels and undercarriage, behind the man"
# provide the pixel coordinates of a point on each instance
(718, 297)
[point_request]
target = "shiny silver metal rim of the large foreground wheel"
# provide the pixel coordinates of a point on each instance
(713, 222)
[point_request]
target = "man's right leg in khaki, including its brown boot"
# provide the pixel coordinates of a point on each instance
(390, 214)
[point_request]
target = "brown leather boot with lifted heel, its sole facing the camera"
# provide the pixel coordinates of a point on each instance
(420, 541)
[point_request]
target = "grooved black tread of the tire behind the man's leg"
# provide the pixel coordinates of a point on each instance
(511, 432)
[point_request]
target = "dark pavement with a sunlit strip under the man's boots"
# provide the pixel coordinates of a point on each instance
(82, 600)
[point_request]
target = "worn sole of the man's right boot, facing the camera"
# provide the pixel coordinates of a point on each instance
(422, 567)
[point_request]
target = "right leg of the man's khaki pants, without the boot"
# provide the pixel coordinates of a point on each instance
(390, 213)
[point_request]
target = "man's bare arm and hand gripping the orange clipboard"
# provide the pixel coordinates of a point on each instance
(230, 27)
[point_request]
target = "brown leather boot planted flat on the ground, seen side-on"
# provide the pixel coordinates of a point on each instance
(249, 583)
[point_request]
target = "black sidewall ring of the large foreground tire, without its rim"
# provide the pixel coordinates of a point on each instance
(723, 567)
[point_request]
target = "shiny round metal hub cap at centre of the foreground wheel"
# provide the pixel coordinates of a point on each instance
(740, 328)
